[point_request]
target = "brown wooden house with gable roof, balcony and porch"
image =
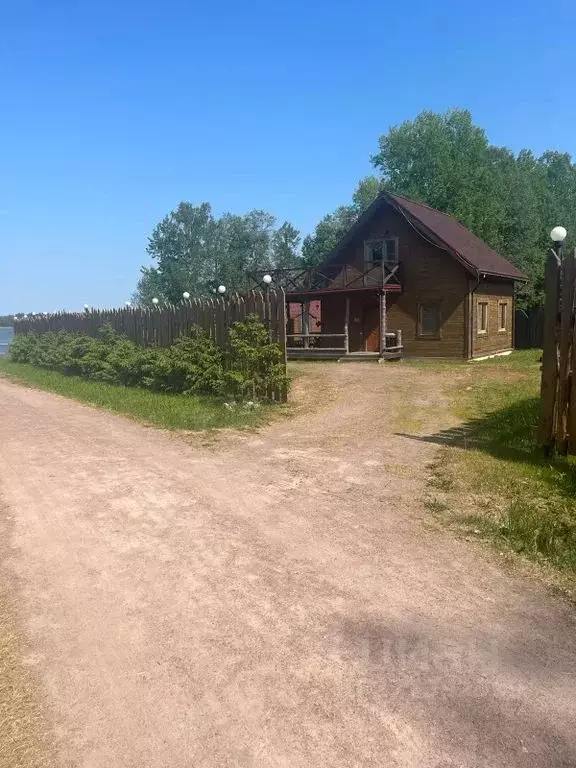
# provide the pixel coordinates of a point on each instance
(405, 280)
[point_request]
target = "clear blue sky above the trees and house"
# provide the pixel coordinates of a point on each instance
(113, 112)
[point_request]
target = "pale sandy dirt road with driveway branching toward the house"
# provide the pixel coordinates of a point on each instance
(275, 599)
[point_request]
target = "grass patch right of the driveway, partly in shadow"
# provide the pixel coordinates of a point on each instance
(491, 468)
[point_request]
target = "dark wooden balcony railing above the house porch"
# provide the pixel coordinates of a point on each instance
(334, 277)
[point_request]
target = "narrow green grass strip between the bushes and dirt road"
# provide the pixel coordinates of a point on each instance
(188, 412)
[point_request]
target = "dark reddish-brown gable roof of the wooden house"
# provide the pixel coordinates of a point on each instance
(445, 232)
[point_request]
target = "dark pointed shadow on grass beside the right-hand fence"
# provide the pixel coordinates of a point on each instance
(509, 434)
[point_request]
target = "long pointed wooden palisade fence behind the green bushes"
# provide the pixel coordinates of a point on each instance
(161, 326)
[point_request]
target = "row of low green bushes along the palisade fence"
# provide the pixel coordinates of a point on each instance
(251, 365)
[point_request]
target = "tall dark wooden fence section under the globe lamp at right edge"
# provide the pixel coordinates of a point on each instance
(557, 432)
